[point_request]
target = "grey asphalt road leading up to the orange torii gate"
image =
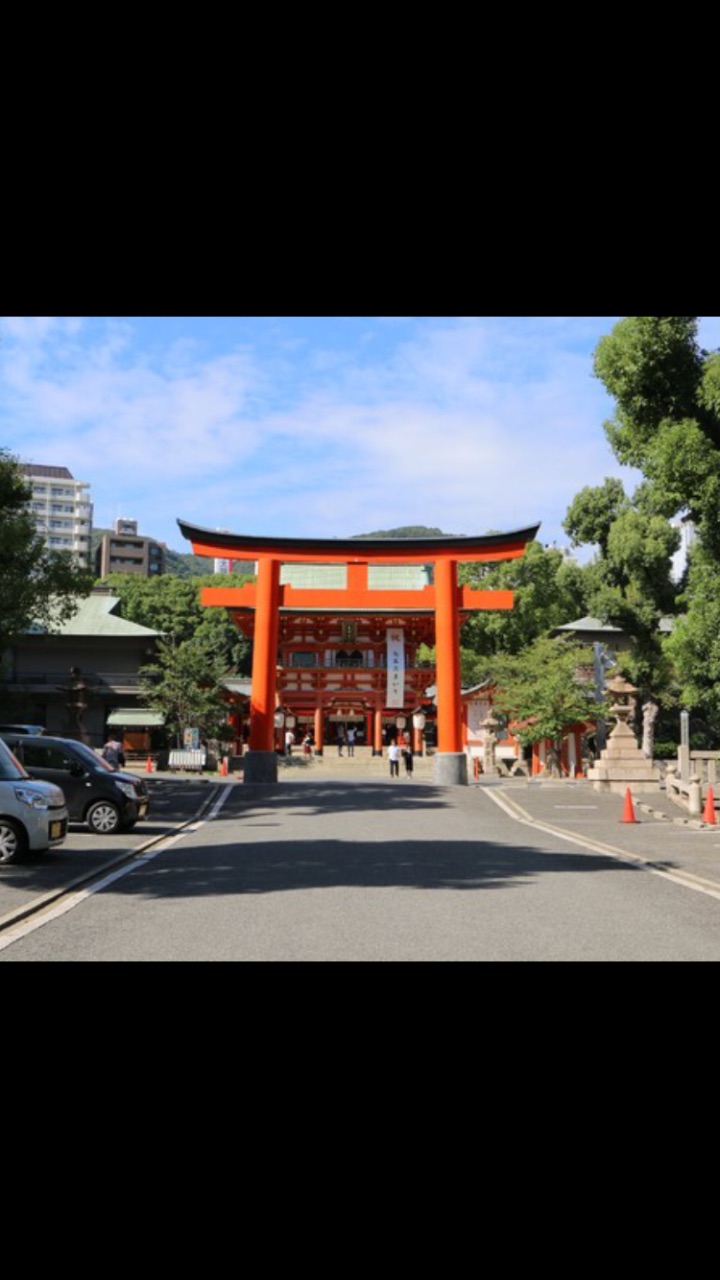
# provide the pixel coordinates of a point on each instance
(393, 871)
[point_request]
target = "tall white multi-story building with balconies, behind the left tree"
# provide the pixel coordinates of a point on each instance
(62, 510)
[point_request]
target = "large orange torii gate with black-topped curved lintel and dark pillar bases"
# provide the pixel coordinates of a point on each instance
(445, 598)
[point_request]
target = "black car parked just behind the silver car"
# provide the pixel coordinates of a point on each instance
(98, 796)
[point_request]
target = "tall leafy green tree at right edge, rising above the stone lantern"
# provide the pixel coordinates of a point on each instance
(667, 424)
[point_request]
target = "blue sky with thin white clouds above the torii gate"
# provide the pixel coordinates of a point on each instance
(315, 426)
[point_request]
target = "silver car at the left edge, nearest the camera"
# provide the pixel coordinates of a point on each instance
(33, 815)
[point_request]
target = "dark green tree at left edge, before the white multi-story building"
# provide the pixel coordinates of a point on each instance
(38, 586)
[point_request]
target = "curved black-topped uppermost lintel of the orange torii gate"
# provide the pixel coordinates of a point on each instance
(249, 547)
